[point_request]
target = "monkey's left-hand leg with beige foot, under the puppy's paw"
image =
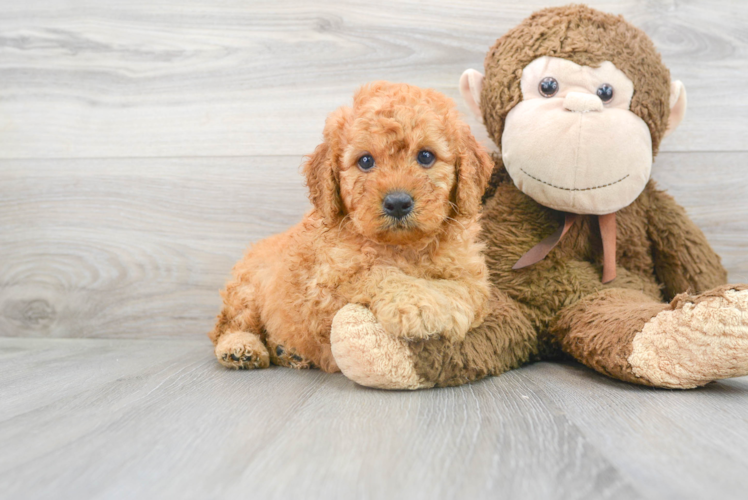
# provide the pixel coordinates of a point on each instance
(370, 356)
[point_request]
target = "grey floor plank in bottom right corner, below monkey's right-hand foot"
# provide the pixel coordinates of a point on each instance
(674, 444)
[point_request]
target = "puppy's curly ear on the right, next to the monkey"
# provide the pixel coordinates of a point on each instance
(474, 168)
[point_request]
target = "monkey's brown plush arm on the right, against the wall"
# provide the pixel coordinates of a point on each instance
(684, 260)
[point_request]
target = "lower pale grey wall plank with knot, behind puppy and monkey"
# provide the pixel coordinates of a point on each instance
(138, 248)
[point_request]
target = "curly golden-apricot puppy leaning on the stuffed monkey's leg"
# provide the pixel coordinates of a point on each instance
(396, 188)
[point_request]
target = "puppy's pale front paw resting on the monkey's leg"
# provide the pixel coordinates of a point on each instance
(421, 314)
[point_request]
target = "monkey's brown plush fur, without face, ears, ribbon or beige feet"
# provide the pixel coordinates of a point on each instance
(560, 305)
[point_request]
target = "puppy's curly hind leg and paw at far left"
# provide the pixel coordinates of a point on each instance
(237, 345)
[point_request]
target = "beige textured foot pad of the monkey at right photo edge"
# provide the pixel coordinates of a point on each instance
(696, 343)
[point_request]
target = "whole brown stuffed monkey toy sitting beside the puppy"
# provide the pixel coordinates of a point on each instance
(587, 257)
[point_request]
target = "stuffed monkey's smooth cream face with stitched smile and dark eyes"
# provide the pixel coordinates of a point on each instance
(572, 143)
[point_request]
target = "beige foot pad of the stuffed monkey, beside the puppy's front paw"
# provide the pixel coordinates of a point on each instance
(368, 355)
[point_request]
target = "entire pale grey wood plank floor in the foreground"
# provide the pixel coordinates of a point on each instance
(99, 419)
